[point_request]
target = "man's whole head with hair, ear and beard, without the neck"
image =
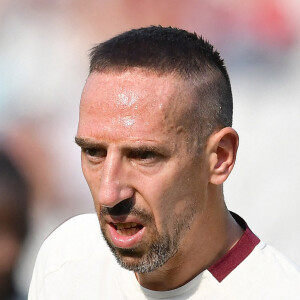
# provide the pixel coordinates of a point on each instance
(153, 98)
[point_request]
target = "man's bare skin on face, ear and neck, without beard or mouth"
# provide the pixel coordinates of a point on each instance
(136, 144)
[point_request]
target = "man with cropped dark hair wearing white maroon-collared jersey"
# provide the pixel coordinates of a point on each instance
(157, 145)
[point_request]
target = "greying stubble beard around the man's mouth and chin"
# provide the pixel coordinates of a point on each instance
(162, 247)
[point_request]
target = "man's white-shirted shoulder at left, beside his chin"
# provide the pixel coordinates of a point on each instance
(73, 262)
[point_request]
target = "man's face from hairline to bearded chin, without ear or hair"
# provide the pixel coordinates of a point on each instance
(147, 179)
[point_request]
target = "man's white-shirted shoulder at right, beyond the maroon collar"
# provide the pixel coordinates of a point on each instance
(268, 274)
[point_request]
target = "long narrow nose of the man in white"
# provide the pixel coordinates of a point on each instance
(113, 181)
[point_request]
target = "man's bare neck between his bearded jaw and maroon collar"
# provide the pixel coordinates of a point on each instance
(213, 233)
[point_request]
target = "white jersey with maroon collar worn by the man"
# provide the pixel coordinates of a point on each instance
(75, 263)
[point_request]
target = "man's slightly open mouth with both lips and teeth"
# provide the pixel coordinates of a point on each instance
(126, 234)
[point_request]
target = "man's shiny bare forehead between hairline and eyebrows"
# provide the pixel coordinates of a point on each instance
(131, 103)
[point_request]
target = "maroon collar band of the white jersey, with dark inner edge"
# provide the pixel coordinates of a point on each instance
(225, 265)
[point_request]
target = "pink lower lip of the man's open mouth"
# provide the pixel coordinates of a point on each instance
(124, 241)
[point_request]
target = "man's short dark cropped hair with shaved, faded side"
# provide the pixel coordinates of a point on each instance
(172, 50)
